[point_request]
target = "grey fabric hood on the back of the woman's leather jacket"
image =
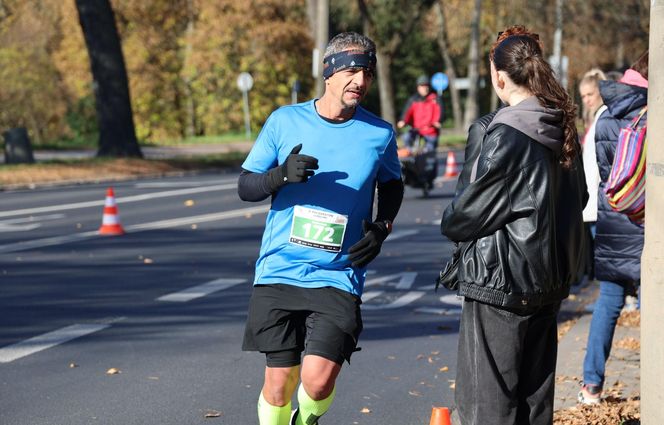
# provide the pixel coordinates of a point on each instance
(542, 124)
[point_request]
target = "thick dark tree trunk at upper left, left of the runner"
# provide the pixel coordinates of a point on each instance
(117, 136)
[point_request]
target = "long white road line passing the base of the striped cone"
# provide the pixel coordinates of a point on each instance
(163, 224)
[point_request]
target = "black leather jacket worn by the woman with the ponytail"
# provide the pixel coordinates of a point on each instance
(524, 217)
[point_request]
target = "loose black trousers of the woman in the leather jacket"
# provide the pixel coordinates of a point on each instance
(506, 365)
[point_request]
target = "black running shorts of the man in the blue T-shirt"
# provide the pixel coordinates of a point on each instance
(286, 320)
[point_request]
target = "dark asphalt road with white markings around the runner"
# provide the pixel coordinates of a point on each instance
(164, 305)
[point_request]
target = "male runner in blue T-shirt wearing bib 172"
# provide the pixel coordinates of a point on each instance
(321, 162)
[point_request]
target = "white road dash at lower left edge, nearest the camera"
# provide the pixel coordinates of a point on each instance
(48, 340)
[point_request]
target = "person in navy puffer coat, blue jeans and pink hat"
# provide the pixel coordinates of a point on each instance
(618, 241)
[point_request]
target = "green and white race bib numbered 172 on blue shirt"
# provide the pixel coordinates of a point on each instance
(318, 229)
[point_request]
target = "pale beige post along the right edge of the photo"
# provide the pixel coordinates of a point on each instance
(652, 260)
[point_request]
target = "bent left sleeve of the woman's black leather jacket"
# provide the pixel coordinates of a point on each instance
(484, 205)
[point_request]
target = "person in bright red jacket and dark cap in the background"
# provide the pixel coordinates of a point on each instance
(424, 113)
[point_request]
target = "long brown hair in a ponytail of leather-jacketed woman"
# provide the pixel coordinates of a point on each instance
(520, 56)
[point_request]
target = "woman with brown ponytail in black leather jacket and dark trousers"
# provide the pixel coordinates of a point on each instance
(521, 213)
